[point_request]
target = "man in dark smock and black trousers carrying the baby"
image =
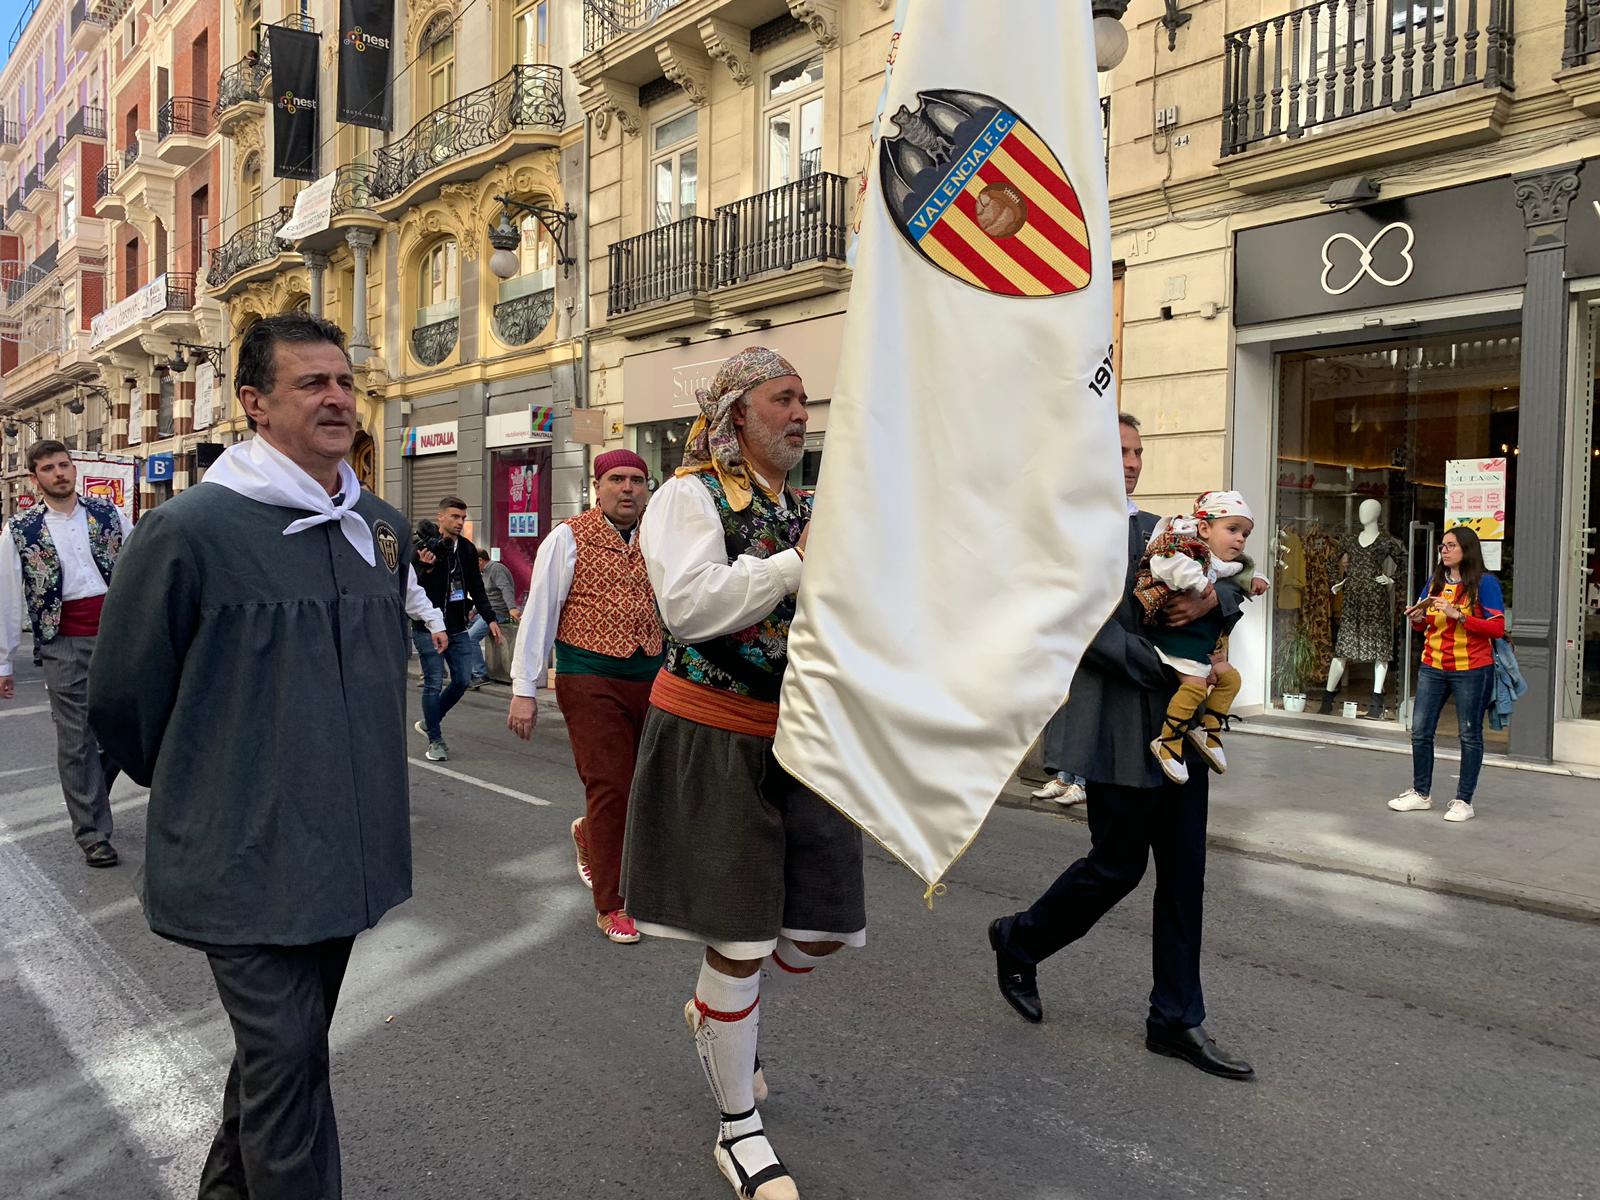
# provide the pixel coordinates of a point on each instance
(1118, 708)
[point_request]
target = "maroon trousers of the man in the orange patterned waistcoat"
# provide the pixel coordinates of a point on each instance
(606, 719)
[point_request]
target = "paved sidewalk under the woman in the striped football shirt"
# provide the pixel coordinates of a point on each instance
(1535, 842)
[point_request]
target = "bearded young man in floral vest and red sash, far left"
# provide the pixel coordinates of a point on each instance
(55, 569)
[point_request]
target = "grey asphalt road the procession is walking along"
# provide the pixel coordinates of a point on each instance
(490, 1044)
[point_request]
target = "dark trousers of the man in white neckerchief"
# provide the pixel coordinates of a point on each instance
(279, 1140)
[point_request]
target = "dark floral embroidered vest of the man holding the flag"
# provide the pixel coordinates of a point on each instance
(750, 662)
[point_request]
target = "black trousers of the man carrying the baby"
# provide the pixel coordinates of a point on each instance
(1127, 826)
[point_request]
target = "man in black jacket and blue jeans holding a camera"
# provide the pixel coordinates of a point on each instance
(449, 572)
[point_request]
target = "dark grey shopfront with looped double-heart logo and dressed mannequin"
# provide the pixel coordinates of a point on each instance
(1398, 374)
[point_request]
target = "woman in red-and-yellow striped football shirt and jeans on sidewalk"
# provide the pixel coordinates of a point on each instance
(1460, 617)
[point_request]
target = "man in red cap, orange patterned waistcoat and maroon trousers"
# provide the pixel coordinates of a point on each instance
(591, 599)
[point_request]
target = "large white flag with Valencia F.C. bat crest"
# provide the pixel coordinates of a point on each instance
(970, 529)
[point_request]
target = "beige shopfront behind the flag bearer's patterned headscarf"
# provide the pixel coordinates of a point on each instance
(660, 391)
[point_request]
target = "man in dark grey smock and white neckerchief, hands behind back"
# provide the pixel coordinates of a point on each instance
(252, 673)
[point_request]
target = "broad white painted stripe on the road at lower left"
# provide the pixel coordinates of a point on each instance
(151, 1071)
